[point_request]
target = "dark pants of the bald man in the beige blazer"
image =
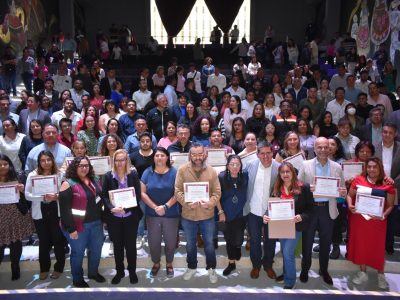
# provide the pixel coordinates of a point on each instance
(322, 222)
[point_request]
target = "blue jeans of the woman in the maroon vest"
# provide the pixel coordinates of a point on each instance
(92, 238)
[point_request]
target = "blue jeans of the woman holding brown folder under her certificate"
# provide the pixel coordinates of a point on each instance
(288, 247)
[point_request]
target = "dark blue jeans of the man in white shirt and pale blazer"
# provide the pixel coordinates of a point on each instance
(256, 229)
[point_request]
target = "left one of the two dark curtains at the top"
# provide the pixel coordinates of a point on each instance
(173, 14)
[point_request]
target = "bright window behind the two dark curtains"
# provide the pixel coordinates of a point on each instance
(199, 24)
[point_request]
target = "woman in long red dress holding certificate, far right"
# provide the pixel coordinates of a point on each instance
(367, 234)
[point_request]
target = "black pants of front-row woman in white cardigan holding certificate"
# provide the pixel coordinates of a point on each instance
(50, 235)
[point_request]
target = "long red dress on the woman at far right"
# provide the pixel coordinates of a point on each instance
(366, 244)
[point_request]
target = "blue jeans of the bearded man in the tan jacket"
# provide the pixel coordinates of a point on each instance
(207, 228)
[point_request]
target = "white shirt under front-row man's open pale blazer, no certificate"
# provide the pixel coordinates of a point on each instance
(259, 199)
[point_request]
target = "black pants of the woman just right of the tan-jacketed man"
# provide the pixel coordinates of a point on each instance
(234, 236)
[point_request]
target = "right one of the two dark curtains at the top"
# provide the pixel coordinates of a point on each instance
(224, 13)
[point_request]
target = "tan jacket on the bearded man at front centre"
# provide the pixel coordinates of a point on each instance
(187, 174)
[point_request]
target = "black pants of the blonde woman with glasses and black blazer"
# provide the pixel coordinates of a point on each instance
(123, 232)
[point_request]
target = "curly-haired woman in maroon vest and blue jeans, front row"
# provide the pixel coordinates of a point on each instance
(81, 213)
